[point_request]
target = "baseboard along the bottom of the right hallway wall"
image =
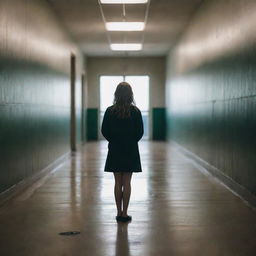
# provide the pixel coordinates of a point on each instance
(230, 184)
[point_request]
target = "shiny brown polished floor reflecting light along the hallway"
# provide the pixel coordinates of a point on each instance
(176, 209)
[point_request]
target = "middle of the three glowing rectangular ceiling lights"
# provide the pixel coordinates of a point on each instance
(125, 26)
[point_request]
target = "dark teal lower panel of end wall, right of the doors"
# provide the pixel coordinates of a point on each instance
(159, 123)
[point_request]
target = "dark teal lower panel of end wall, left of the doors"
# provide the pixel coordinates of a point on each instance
(92, 124)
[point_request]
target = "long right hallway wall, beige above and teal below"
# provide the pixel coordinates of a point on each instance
(211, 89)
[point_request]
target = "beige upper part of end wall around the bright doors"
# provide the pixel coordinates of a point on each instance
(154, 67)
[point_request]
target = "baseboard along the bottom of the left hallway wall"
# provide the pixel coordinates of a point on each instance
(33, 182)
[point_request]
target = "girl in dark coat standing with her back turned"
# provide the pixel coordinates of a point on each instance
(122, 126)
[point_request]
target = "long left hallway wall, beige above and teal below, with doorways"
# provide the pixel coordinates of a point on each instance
(34, 89)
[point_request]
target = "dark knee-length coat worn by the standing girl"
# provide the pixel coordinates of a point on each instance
(123, 135)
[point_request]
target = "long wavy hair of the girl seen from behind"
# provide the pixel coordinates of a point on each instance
(123, 100)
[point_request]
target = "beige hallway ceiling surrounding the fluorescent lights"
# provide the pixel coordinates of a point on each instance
(166, 21)
